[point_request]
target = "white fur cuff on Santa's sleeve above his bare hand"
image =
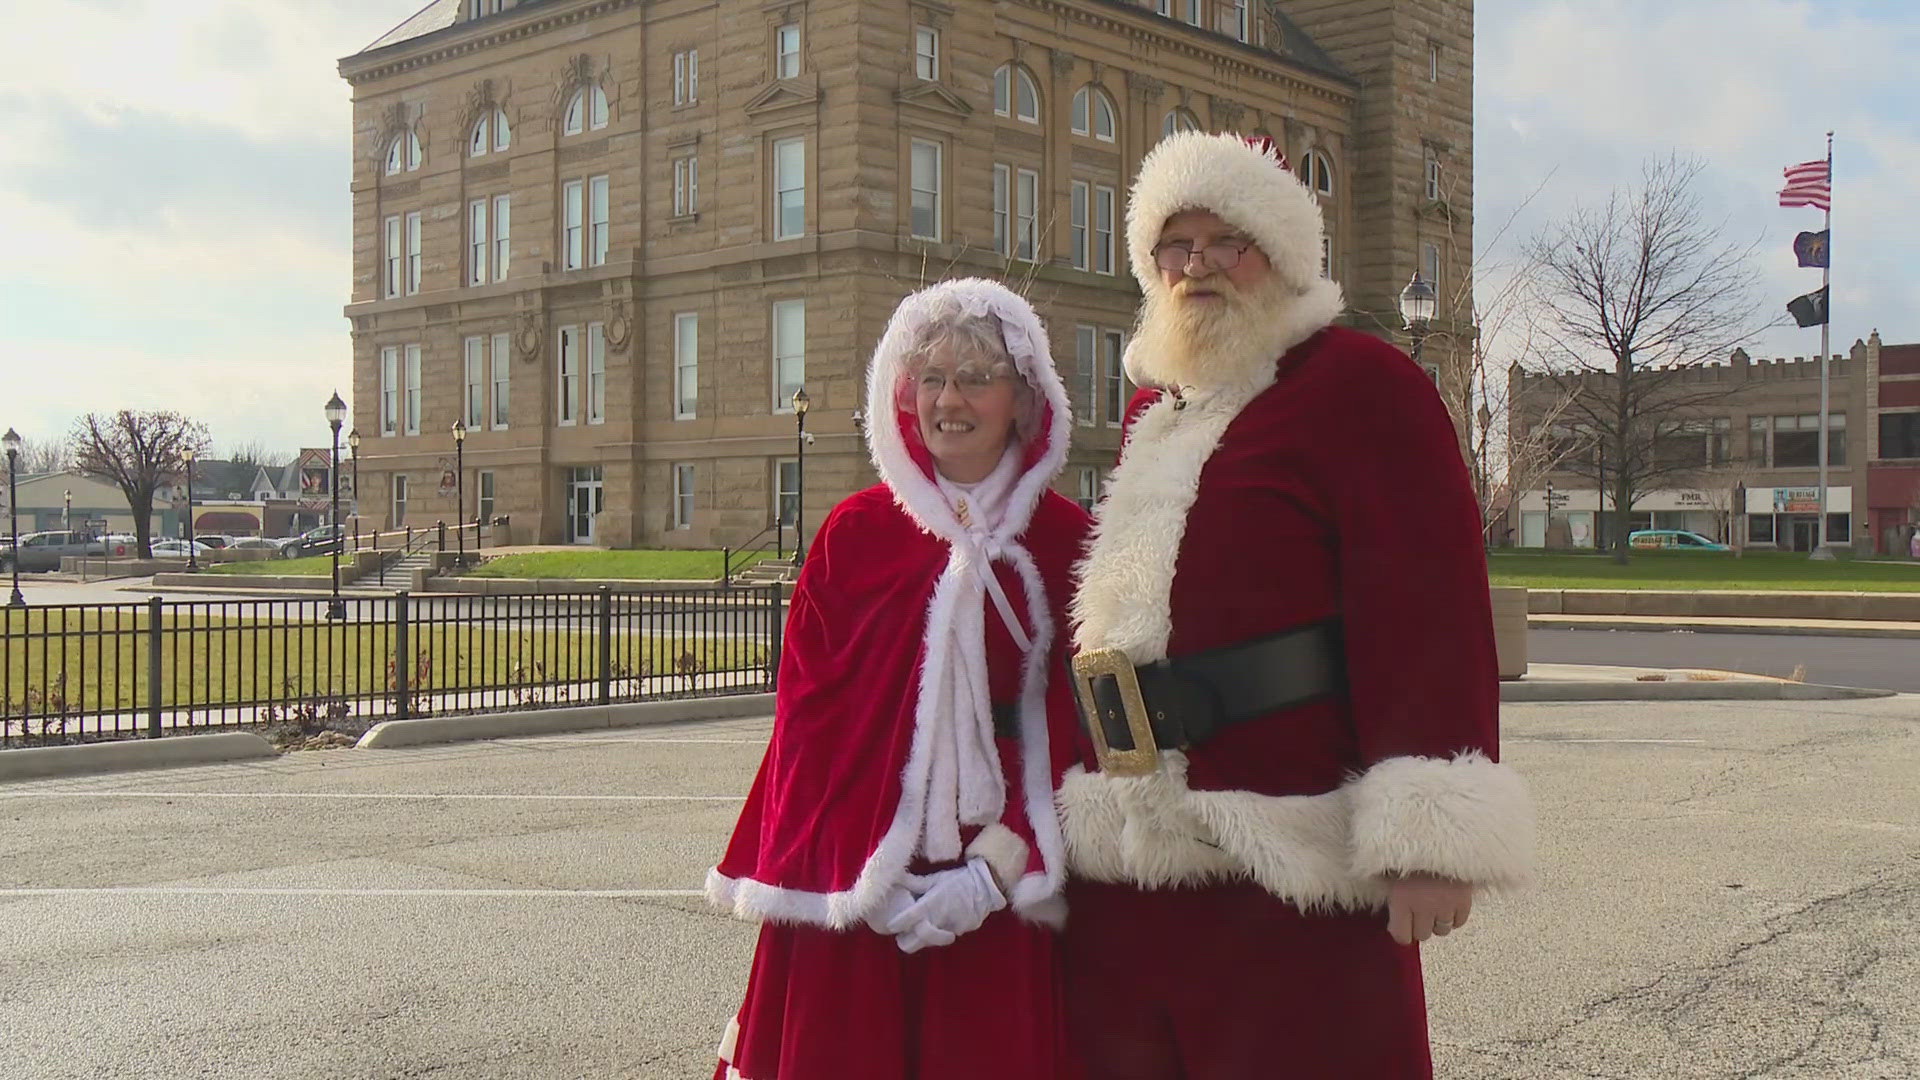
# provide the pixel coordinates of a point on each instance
(1460, 818)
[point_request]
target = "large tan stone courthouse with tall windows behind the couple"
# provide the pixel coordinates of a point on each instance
(613, 237)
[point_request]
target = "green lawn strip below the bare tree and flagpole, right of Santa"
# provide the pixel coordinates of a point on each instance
(1758, 572)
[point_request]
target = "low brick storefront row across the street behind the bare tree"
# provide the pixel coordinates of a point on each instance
(1762, 437)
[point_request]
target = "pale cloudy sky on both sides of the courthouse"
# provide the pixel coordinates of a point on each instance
(180, 226)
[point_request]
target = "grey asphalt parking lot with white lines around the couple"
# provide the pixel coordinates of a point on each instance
(1729, 891)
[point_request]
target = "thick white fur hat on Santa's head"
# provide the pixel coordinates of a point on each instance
(1243, 184)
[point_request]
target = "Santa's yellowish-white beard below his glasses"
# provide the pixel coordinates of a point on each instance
(1180, 343)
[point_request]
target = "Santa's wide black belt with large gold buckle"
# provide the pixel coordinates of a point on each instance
(1136, 710)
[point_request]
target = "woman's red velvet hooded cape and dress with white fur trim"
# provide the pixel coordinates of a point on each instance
(886, 766)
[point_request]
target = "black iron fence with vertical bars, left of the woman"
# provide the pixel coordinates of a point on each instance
(74, 674)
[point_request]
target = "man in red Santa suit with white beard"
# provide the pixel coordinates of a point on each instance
(1285, 656)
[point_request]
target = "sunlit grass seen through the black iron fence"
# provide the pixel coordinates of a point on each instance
(95, 664)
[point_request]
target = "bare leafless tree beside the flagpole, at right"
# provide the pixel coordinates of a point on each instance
(1637, 297)
